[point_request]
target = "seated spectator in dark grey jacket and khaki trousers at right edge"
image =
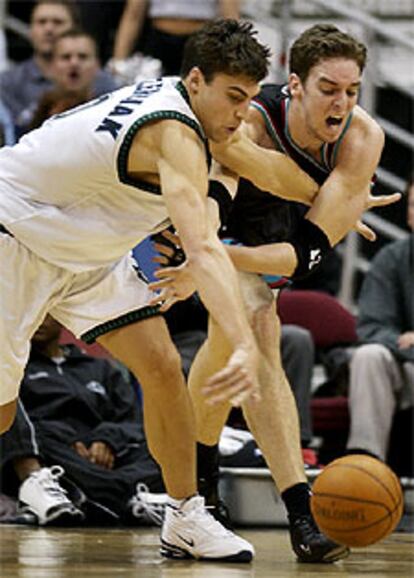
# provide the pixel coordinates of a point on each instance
(382, 367)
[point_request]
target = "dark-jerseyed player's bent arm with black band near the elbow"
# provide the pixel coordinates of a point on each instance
(335, 211)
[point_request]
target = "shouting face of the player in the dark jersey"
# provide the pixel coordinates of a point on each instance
(328, 96)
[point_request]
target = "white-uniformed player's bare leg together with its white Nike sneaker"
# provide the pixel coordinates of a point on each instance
(189, 531)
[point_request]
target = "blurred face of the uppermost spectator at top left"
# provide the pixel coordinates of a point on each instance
(48, 22)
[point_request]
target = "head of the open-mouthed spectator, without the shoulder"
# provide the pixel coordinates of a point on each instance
(75, 63)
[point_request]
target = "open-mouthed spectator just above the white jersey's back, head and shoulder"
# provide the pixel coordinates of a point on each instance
(75, 66)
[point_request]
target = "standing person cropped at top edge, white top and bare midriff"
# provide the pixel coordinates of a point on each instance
(171, 23)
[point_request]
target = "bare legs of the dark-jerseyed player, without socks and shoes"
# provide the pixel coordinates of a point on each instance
(273, 420)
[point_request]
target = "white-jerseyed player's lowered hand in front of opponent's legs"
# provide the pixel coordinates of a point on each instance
(237, 381)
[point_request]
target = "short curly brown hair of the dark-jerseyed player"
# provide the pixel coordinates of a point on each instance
(320, 42)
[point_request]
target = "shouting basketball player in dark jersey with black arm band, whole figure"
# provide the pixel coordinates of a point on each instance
(315, 120)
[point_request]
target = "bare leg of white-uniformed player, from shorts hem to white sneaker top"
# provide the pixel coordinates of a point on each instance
(145, 347)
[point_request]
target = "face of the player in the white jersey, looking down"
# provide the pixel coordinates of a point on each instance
(222, 104)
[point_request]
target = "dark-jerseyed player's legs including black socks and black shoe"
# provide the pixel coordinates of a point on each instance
(273, 420)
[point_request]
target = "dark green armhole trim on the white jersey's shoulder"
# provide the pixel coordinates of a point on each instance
(130, 135)
